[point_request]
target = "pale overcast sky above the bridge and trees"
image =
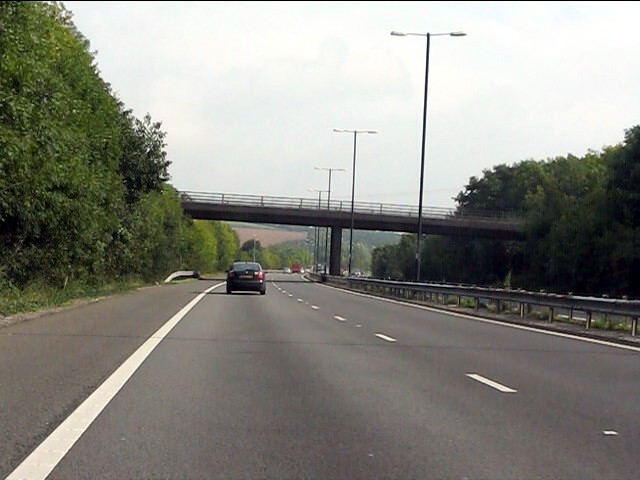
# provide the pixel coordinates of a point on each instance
(249, 92)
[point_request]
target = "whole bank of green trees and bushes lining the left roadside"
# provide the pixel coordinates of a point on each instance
(84, 198)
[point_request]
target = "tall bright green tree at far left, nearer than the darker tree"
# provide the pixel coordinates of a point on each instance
(60, 195)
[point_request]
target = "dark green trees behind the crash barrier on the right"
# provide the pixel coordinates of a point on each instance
(582, 218)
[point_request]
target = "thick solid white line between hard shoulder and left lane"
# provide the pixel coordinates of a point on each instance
(41, 462)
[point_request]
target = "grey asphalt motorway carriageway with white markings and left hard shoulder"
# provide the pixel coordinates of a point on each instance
(185, 382)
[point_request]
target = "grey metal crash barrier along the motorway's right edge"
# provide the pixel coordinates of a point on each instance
(609, 310)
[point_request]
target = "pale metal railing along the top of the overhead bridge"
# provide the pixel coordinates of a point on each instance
(343, 206)
